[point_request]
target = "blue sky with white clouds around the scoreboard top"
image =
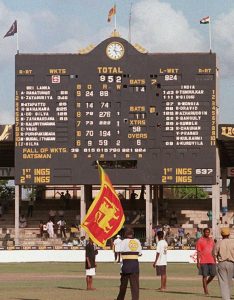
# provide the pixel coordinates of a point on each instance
(65, 26)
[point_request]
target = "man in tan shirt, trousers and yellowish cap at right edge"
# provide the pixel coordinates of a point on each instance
(224, 251)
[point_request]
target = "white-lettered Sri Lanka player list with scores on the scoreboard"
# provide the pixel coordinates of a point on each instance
(37, 116)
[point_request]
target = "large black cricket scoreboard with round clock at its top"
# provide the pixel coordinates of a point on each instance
(147, 118)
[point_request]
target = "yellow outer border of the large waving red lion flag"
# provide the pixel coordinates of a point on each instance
(103, 183)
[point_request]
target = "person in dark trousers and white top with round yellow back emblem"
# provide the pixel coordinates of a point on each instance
(130, 249)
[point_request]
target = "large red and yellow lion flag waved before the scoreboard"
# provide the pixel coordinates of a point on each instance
(105, 216)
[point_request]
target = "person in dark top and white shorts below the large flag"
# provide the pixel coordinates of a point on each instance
(90, 264)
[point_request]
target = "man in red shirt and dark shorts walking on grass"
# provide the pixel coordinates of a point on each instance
(206, 259)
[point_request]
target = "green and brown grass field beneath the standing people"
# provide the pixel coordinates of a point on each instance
(66, 281)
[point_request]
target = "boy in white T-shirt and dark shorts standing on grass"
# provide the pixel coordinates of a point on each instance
(161, 260)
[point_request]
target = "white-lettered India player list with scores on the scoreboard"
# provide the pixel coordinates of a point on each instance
(187, 116)
